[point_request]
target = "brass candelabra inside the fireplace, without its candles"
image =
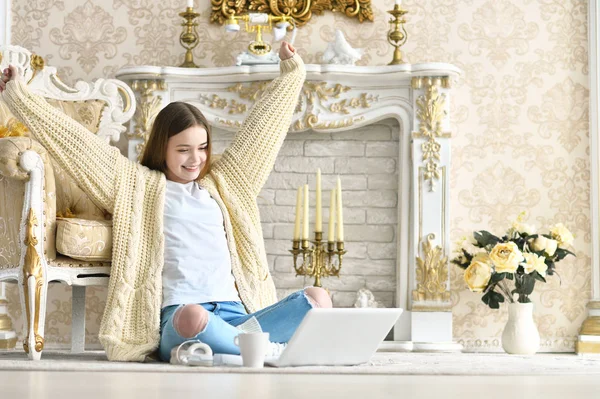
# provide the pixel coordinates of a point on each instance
(318, 261)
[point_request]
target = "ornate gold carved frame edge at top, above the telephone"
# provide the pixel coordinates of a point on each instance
(301, 11)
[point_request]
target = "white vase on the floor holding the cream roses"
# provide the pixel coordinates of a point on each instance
(520, 335)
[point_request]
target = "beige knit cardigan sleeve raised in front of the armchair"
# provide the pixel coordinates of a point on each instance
(89, 160)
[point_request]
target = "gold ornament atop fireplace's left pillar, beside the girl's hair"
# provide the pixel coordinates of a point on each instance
(148, 107)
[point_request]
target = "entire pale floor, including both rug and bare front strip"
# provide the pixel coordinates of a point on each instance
(388, 375)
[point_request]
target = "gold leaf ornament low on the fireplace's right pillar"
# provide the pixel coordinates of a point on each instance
(432, 292)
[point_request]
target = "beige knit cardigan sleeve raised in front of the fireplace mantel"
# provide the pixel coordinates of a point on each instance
(254, 149)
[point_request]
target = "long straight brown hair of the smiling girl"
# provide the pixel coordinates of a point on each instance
(172, 120)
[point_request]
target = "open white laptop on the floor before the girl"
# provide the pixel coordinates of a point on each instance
(337, 337)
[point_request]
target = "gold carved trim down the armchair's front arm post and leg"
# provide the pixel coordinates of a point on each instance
(32, 267)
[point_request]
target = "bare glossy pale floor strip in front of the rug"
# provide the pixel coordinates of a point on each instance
(74, 385)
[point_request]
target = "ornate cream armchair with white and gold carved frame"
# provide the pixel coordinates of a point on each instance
(50, 231)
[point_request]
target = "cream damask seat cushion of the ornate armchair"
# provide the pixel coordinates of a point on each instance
(81, 239)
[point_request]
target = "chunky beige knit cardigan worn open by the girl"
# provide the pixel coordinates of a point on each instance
(135, 195)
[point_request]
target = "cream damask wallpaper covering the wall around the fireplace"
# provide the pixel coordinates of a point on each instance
(520, 118)
